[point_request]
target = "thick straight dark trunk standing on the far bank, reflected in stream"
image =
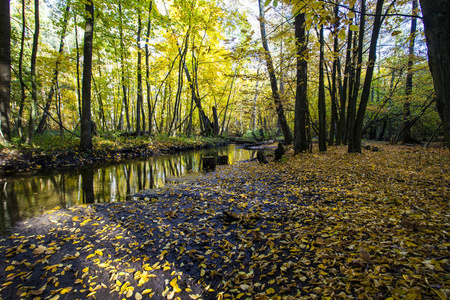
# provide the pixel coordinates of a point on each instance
(86, 134)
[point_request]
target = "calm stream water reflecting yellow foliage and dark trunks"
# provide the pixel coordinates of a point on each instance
(27, 196)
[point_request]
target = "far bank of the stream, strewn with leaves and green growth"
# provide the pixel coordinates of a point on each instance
(50, 153)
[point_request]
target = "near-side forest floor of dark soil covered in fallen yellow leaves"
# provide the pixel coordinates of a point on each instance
(314, 226)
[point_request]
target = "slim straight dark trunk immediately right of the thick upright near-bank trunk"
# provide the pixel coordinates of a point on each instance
(321, 104)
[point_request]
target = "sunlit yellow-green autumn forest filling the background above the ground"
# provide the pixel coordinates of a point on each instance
(337, 72)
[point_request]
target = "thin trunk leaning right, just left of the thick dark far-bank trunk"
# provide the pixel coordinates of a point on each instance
(43, 121)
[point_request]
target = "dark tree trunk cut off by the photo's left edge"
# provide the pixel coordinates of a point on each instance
(5, 71)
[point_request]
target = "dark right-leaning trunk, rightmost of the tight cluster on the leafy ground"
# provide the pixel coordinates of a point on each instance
(357, 133)
